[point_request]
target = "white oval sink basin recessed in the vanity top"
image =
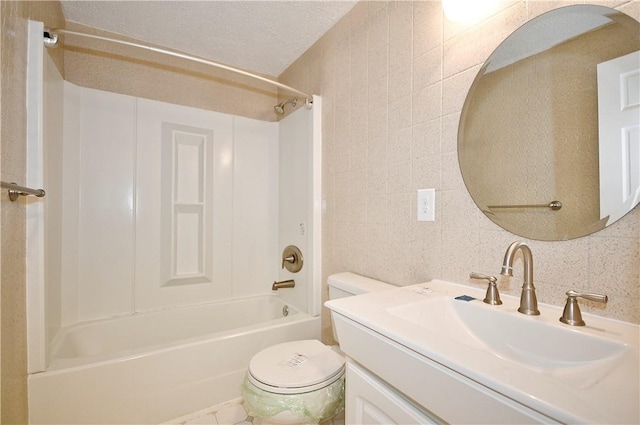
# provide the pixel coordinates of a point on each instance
(508, 334)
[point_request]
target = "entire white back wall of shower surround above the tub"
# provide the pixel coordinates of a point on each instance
(116, 182)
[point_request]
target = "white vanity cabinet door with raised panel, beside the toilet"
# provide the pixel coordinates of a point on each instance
(370, 401)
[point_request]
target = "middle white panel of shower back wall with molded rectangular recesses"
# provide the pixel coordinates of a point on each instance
(182, 232)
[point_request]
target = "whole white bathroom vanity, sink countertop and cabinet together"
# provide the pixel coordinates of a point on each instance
(435, 353)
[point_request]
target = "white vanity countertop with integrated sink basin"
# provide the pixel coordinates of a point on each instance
(599, 385)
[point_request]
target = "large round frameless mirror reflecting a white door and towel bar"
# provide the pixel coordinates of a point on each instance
(549, 136)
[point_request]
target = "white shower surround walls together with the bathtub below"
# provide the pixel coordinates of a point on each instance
(156, 206)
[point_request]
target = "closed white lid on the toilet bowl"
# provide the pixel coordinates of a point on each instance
(295, 365)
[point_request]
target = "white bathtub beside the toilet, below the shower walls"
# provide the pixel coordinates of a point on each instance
(151, 367)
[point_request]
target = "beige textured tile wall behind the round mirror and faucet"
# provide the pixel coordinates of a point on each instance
(394, 77)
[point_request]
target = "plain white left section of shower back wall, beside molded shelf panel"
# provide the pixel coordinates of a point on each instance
(100, 183)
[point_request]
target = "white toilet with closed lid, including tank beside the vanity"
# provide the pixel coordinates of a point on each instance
(302, 382)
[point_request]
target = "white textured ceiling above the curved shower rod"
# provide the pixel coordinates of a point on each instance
(260, 36)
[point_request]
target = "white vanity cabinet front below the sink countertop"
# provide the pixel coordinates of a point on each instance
(388, 383)
